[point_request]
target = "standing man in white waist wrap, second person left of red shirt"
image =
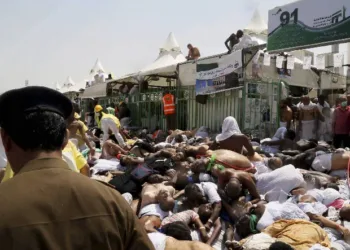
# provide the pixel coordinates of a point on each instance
(308, 119)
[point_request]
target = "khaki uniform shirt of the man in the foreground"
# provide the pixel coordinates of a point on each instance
(47, 206)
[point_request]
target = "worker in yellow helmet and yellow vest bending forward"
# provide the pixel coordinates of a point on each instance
(108, 122)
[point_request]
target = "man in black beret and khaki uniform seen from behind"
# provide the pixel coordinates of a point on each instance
(49, 206)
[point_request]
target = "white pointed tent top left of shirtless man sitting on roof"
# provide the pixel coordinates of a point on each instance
(169, 56)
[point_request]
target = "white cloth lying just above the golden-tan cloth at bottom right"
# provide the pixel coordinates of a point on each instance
(275, 211)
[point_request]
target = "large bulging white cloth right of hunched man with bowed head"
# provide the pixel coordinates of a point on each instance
(277, 184)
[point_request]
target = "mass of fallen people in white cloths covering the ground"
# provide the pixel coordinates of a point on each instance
(232, 193)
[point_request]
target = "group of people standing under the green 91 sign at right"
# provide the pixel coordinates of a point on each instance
(316, 119)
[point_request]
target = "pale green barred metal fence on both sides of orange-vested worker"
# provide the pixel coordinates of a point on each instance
(147, 108)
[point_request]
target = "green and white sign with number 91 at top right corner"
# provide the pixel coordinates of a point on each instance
(307, 24)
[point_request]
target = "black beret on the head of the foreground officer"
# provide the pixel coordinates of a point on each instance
(17, 103)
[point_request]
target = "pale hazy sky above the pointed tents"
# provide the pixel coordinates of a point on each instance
(47, 40)
